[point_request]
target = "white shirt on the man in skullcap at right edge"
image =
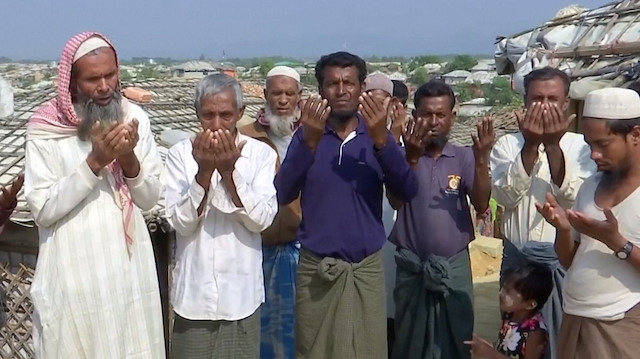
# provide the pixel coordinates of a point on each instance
(598, 285)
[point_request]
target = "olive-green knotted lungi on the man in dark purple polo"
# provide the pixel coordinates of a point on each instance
(340, 308)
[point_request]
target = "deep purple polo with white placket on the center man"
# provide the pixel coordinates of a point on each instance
(341, 191)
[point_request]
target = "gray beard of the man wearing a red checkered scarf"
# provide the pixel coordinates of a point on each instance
(90, 113)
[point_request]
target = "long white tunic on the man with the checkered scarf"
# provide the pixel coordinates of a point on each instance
(91, 299)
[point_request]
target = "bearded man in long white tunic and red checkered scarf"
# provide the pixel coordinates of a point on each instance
(91, 167)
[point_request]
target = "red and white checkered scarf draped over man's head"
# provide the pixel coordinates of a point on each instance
(57, 119)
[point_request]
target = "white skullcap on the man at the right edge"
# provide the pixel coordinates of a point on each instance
(612, 103)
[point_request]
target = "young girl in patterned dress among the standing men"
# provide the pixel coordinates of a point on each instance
(523, 334)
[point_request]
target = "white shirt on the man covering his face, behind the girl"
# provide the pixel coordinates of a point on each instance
(518, 192)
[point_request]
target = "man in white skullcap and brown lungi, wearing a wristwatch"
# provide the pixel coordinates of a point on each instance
(598, 240)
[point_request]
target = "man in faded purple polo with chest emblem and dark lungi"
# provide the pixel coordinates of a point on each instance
(434, 292)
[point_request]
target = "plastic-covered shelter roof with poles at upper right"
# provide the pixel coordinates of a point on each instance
(520, 54)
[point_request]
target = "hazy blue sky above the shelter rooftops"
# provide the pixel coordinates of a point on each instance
(243, 28)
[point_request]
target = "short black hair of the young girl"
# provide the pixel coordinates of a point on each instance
(532, 280)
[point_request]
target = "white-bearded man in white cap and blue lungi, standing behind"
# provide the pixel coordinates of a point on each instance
(275, 125)
